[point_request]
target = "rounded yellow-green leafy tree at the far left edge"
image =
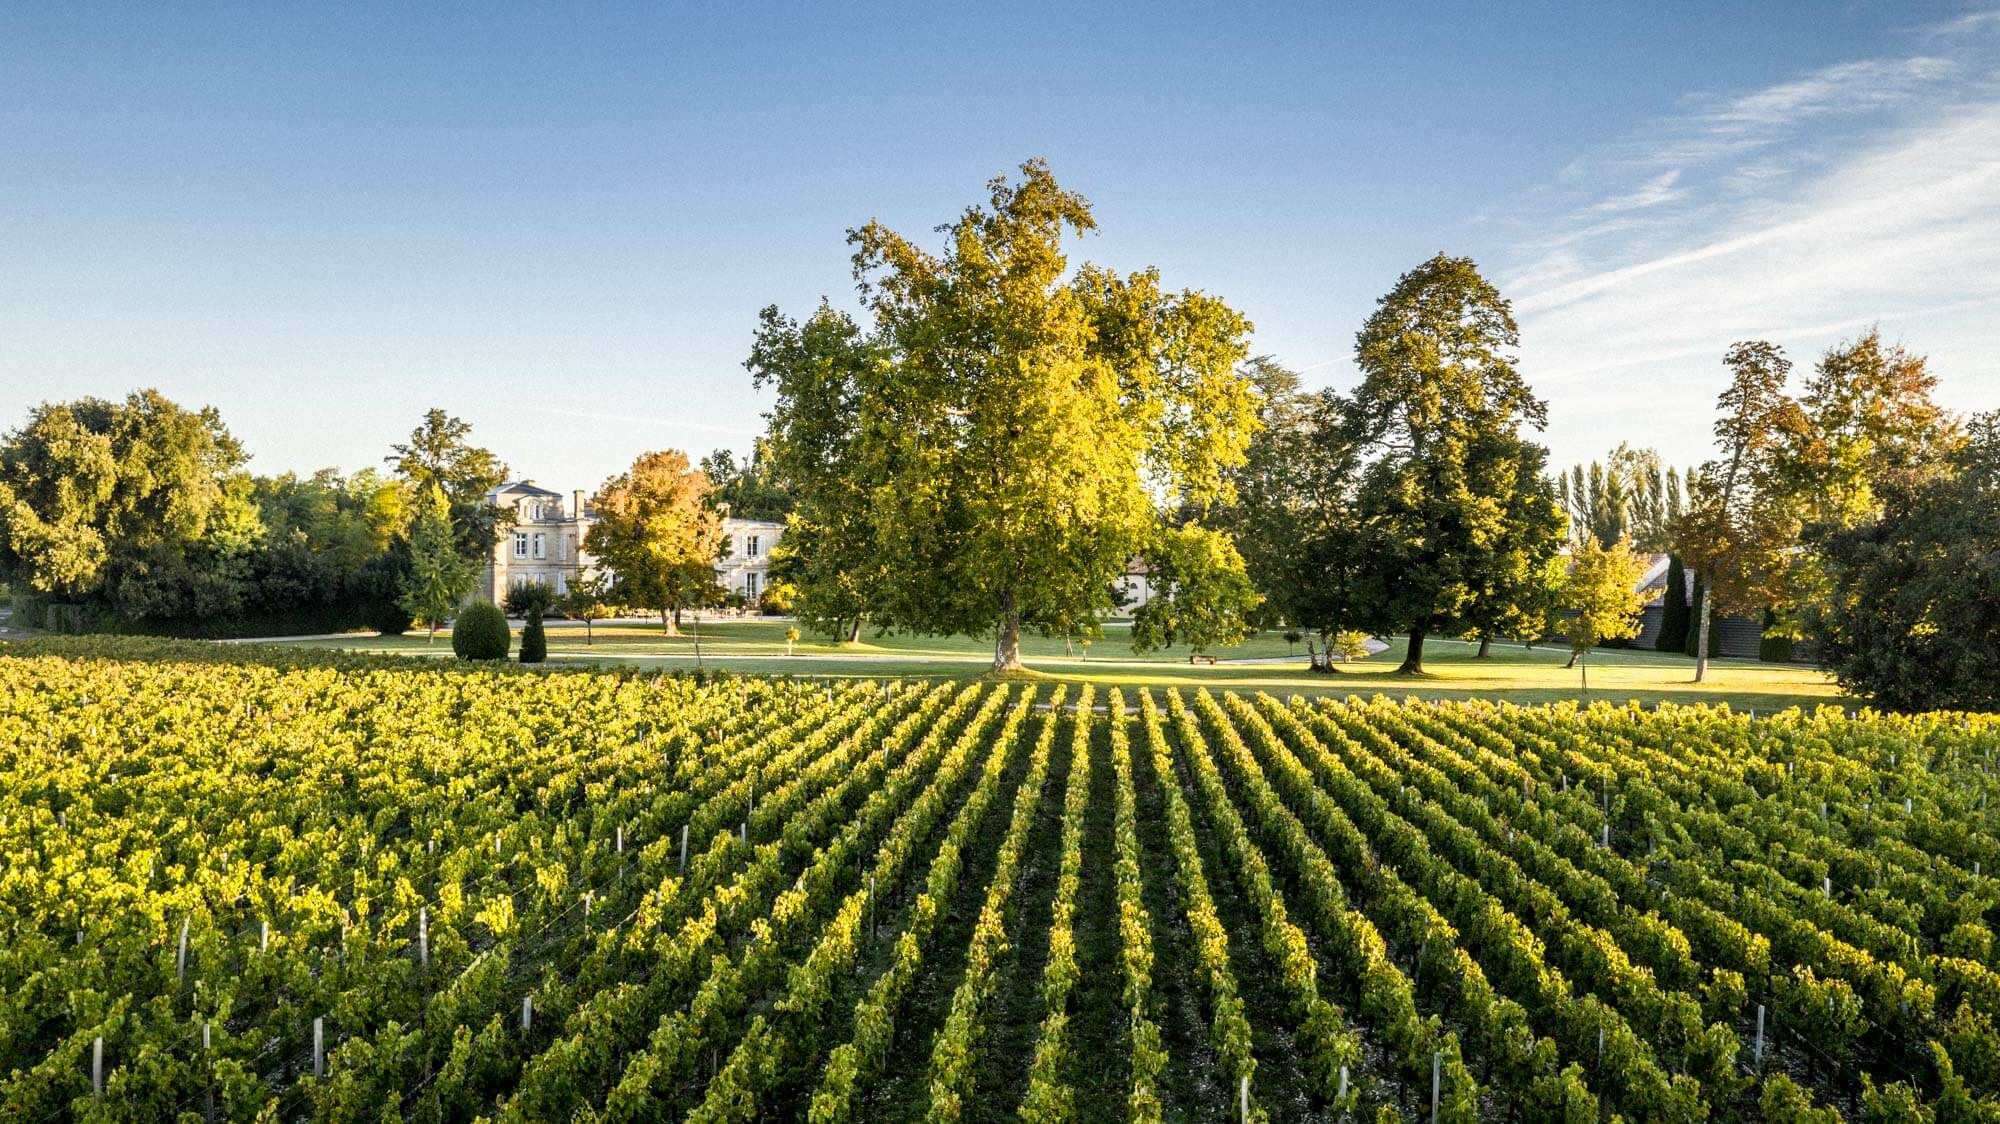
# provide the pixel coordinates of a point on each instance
(137, 507)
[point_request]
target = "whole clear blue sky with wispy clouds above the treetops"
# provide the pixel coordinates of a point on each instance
(559, 223)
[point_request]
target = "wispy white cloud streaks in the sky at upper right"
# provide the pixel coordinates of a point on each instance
(1867, 193)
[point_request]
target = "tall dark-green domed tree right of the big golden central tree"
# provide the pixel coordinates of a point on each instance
(1451, 495)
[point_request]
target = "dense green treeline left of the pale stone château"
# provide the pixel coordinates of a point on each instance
(141, 515)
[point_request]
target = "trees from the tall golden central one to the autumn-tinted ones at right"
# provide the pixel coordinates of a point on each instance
(995, 437)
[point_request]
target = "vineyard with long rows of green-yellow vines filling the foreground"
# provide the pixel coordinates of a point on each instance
(235, 891)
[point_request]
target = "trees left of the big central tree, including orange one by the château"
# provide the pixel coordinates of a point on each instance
(141, 515)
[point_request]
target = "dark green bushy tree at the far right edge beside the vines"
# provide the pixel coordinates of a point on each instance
(1913, 609)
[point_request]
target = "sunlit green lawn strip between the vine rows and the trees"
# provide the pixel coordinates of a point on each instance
(1511, 673)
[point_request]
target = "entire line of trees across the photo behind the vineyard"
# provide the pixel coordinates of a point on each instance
(995, 437)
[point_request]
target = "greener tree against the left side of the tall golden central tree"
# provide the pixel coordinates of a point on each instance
(825, 459)
